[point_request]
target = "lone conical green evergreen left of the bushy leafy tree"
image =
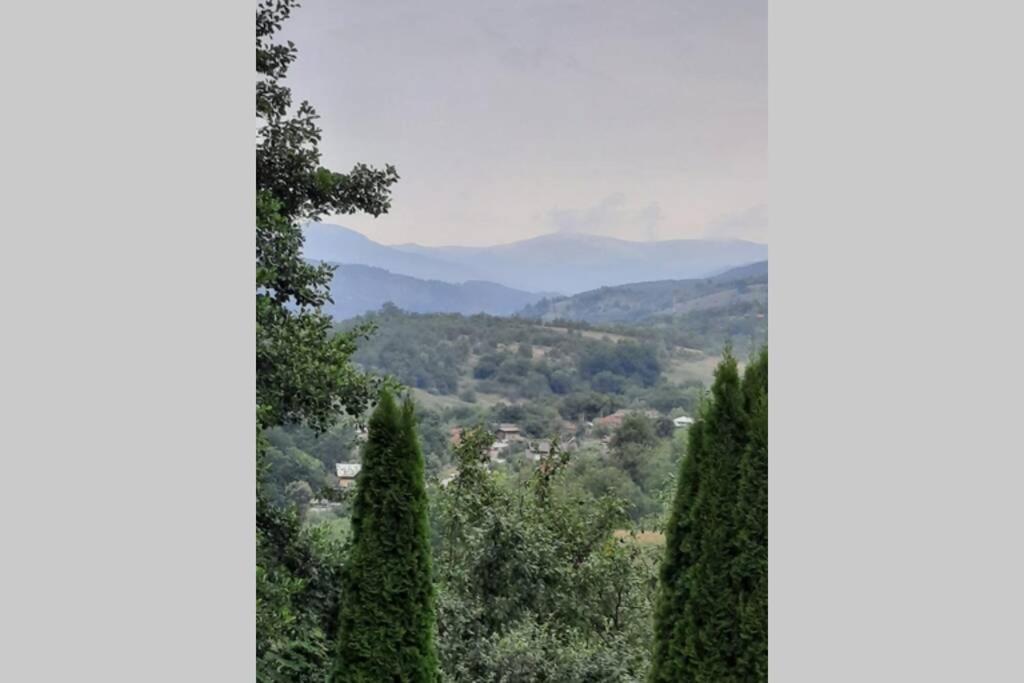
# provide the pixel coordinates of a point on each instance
(388, 619)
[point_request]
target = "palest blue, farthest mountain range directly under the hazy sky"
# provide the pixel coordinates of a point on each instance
(567, 264)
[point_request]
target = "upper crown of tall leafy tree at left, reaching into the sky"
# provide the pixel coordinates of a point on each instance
(304, 373)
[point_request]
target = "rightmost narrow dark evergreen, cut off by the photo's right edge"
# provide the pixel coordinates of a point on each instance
(751, 564)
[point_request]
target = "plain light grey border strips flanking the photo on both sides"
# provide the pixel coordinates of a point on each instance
(127, 353)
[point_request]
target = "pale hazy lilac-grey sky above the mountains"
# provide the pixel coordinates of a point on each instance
(507, 120)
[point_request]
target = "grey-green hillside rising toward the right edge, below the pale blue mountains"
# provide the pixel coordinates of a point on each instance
(731, 298)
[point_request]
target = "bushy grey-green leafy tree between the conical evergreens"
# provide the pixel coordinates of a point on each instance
(533, 584)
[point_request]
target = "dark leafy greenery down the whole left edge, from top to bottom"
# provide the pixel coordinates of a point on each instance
(304, 371)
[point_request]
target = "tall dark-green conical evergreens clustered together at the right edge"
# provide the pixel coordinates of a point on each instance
(711, 624)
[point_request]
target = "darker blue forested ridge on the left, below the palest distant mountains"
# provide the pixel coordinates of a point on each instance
(360, 289)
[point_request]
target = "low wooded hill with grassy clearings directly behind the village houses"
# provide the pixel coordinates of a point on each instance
(561, 371)
